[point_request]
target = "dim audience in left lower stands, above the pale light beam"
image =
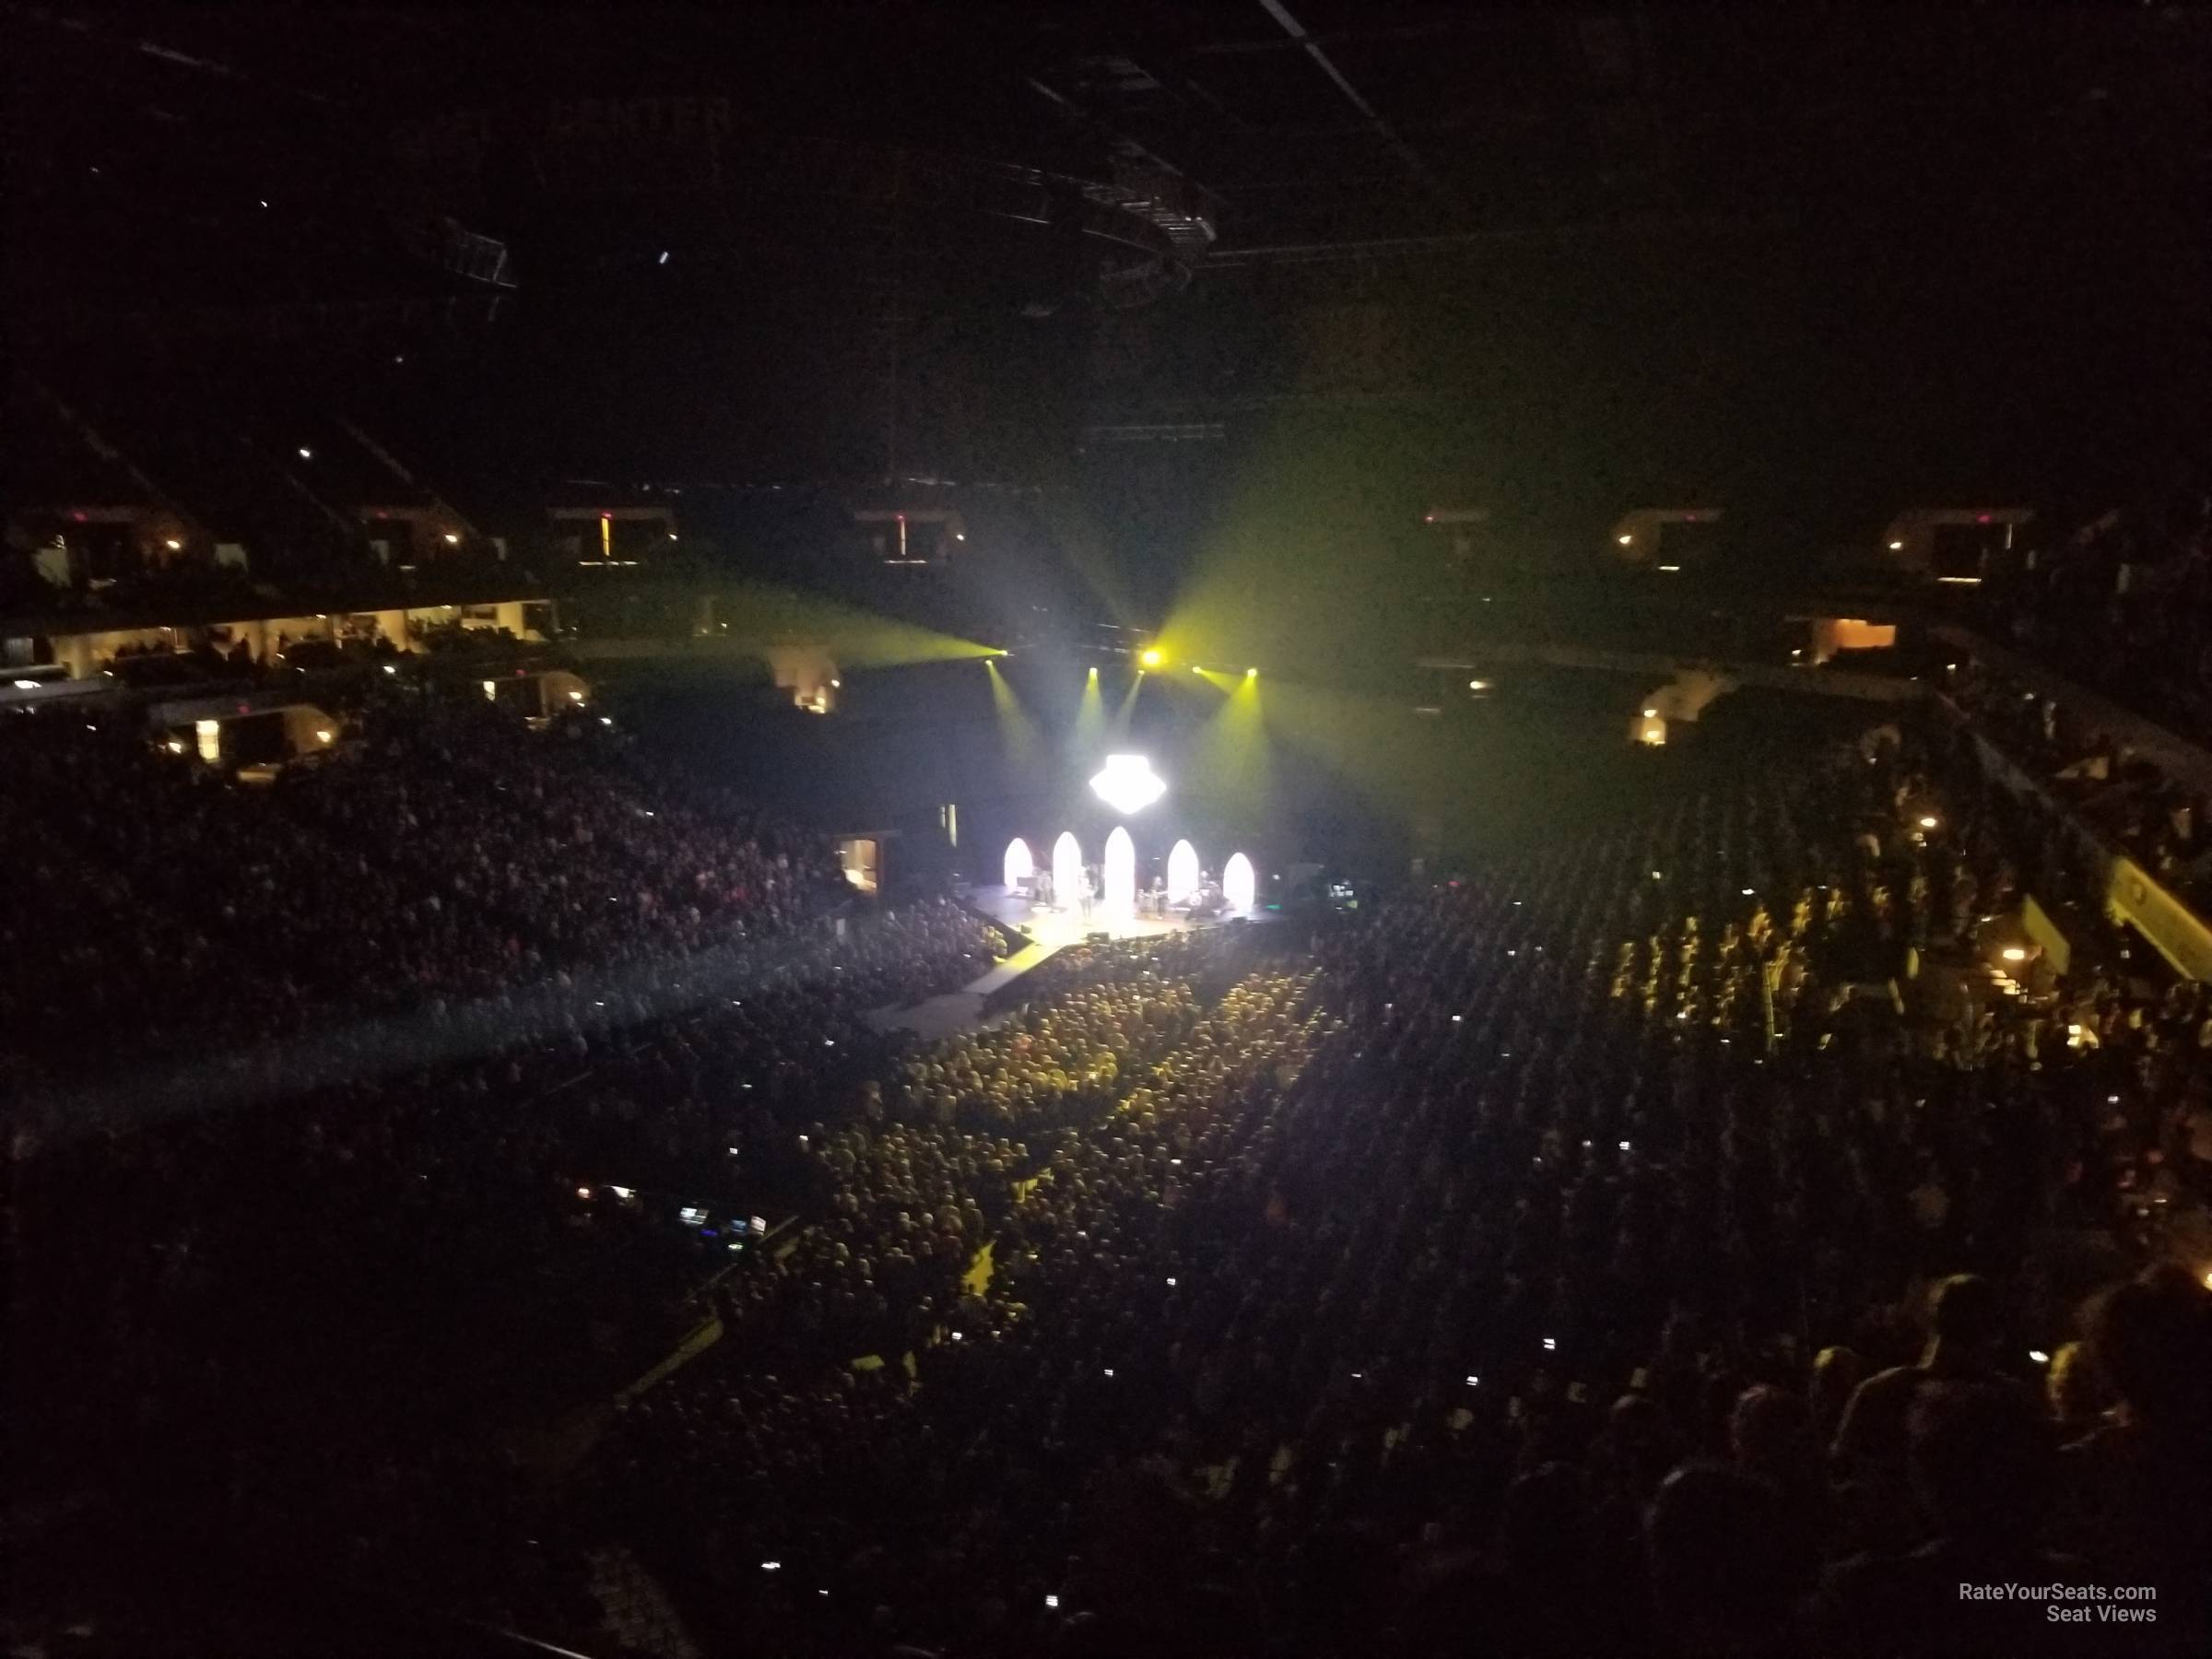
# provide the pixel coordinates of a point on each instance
(439, 859)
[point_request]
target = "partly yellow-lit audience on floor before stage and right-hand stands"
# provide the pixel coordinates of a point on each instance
(1501, 1280)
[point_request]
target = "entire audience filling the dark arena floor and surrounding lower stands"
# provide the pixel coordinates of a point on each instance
(1640, 1246)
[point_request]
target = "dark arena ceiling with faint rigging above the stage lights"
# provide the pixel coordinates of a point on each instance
(1063, 213)
